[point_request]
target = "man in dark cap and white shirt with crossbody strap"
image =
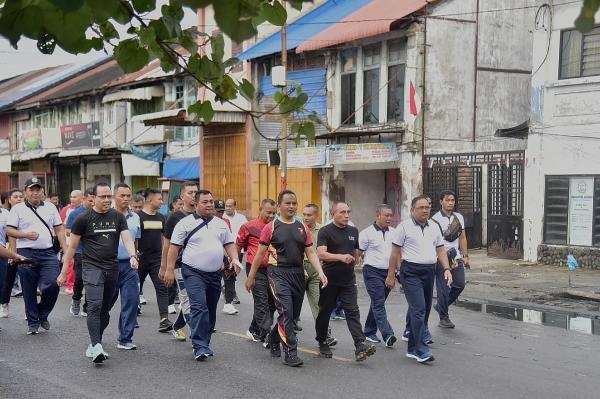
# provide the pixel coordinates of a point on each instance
(31, 227)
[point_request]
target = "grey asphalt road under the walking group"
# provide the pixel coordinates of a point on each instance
(484, 357)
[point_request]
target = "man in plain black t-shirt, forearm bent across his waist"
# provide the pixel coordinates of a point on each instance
(337, 246)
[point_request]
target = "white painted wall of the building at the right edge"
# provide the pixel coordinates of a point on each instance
(565, 122)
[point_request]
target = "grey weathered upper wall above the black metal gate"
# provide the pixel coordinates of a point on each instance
(503, 62)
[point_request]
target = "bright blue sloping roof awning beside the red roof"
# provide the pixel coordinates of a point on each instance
(305, 27)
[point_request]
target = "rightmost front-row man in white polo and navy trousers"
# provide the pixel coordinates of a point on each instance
(419, 244)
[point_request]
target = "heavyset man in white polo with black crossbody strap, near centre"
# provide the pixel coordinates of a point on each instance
(202, 238)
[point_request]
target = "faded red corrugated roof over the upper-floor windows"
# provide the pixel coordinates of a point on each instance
(373, 19)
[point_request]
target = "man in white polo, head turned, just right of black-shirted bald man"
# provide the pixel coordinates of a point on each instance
(375, 245)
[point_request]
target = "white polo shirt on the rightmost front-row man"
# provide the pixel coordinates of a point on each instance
(418, 242)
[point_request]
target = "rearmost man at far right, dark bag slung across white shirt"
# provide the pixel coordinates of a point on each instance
(455, 242)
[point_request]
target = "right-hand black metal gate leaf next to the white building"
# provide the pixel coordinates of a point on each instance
(505, 211)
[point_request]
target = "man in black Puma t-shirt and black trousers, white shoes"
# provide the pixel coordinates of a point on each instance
(99, 229)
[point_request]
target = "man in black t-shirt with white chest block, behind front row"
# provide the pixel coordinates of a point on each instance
(152, 224)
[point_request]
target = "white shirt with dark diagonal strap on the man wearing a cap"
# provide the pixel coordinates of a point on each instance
(22, 218)
